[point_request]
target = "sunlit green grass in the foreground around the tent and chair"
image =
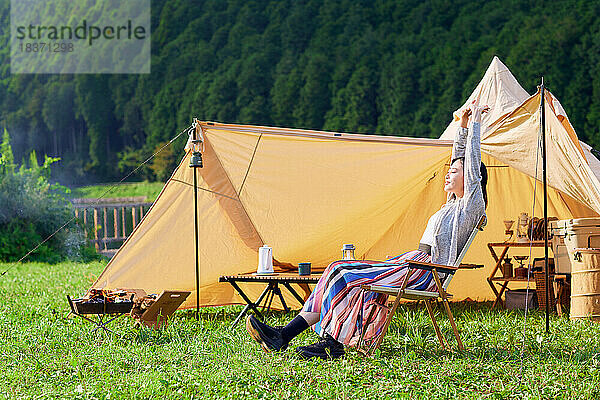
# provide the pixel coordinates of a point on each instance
(45, 355)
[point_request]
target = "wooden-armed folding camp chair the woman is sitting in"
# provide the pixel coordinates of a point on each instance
(401, 292)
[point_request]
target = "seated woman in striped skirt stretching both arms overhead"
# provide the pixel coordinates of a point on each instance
(335, 305)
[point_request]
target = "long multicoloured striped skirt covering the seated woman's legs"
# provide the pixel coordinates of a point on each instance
(342, 304)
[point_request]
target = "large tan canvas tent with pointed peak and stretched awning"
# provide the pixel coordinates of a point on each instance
(305, 193)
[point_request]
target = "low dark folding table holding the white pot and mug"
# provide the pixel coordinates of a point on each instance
(272, 289)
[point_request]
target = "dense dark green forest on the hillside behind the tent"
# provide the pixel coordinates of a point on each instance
(392, 67)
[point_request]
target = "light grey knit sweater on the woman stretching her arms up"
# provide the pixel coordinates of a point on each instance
(454, 222)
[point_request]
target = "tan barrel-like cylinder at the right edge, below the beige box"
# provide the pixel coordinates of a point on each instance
(585, 284)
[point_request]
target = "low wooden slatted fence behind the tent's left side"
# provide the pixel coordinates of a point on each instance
(108, 222)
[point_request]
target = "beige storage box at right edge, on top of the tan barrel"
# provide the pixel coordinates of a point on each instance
(569, 234)
